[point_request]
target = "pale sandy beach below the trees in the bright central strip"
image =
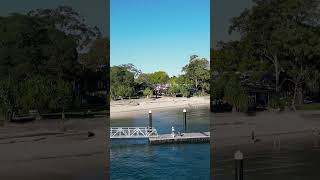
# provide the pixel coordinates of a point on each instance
(125, 108)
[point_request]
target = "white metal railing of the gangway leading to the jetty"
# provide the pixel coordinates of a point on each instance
(133, 132)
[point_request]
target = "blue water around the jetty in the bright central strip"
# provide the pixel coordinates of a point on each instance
(136, 159)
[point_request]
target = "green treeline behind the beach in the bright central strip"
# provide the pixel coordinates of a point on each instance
(127, 81)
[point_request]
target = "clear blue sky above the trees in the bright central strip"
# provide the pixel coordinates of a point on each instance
(159, 34)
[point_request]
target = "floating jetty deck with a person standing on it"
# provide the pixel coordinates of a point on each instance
(196, 137)
